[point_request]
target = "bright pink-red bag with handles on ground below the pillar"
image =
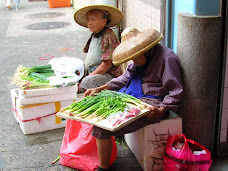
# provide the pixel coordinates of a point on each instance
(185, 155)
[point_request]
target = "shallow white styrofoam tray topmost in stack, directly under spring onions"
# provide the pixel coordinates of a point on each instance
(48, 91)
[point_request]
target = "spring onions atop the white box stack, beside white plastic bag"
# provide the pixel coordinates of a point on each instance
(33, 77)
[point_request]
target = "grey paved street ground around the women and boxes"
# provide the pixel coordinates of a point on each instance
(21, 46)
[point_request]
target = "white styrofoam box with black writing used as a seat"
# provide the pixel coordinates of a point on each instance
(148, 143)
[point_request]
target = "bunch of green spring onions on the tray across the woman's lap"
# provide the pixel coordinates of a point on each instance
(101, 105)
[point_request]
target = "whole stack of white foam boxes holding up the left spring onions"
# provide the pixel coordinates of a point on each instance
(38, 116)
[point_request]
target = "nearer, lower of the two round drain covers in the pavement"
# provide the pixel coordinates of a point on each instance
(47, 25)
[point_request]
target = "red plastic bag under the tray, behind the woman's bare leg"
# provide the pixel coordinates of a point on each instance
(79, 148)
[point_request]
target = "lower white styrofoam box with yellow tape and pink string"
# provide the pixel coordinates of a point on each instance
(38, 117)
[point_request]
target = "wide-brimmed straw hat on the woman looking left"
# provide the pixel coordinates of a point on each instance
(115, 15)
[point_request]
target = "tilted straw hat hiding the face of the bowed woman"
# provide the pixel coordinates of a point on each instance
(134, 43)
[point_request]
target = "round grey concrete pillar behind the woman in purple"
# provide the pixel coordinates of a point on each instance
(198, 47)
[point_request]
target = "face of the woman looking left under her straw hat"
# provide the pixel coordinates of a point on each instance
(95, 21)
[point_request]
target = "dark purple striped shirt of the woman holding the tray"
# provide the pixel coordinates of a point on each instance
(162, 78)
